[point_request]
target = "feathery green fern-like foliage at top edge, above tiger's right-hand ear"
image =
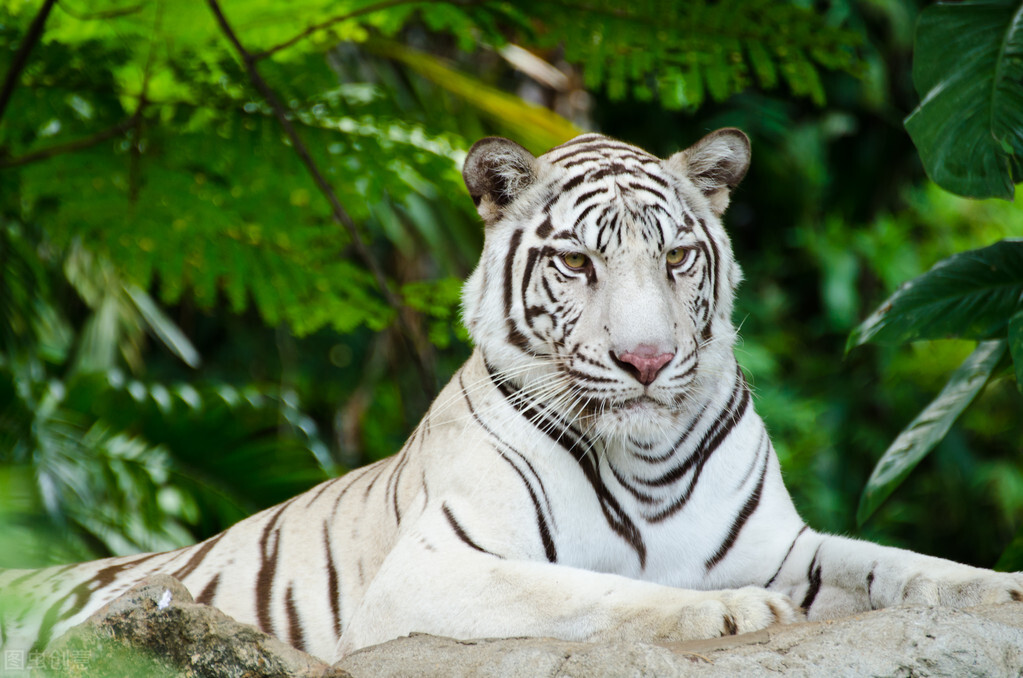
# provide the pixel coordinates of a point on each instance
(684, 54)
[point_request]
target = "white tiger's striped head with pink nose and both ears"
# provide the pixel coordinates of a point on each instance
(606, 284)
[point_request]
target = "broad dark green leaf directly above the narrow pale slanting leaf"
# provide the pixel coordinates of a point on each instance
(969, 295)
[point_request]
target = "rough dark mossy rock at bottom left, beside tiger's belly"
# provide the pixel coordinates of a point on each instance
(157, 630)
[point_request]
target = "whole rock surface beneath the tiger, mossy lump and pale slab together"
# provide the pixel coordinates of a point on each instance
(157, 630)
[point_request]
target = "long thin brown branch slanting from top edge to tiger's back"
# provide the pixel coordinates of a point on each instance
(340, 214)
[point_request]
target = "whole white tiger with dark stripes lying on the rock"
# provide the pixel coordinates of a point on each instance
(595, 472)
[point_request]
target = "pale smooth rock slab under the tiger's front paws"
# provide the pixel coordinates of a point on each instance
(899, 642)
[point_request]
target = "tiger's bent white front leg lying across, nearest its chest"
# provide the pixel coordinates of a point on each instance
(435, 584)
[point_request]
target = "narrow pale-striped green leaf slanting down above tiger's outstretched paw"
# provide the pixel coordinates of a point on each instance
(930, 427)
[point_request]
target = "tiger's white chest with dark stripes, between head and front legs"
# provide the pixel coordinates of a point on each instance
(528, 484)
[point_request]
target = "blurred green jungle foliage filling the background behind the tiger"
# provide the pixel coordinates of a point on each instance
(188, 335)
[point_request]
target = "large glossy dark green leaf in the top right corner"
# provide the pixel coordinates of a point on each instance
(968, 70)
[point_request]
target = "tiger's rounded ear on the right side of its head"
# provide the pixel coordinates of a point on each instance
(716, 165)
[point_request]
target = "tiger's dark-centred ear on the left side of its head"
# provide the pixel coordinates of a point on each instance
(497, 170)
